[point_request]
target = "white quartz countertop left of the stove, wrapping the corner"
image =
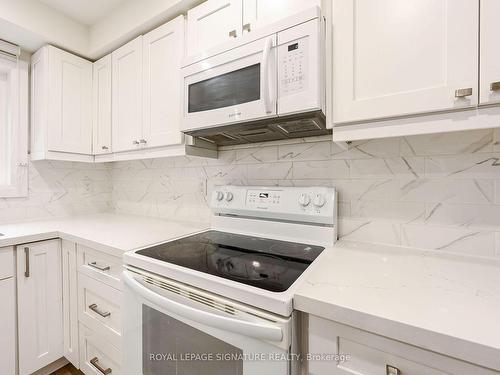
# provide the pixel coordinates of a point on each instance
(111, 233)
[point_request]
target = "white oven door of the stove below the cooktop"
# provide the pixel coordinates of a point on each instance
(171, 329)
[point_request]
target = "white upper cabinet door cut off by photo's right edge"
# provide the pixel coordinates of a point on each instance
(490, 53)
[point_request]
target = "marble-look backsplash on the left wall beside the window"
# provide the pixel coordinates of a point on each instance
(59, 189)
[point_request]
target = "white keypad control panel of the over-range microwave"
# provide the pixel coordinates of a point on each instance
(293, 67)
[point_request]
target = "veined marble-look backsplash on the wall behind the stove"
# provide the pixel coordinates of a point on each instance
(438, 191)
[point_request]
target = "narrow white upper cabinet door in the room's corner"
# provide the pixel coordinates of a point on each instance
(101, 109)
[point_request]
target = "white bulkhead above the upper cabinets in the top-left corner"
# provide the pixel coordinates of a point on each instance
(32, 24)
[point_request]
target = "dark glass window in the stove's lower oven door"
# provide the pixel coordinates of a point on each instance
(171, 347)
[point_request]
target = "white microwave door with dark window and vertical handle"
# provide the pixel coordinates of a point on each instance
(235, 86)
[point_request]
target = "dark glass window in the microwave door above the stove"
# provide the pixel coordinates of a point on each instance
(226, 90)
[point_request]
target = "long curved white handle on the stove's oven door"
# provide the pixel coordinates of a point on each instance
(250, 329)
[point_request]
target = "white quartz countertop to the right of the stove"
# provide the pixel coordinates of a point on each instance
(442, 302)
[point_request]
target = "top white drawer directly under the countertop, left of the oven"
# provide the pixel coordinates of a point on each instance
(103, 267)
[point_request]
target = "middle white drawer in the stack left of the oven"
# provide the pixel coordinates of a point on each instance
(99, 308)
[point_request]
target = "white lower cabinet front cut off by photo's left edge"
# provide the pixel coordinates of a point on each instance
(7, 312)
